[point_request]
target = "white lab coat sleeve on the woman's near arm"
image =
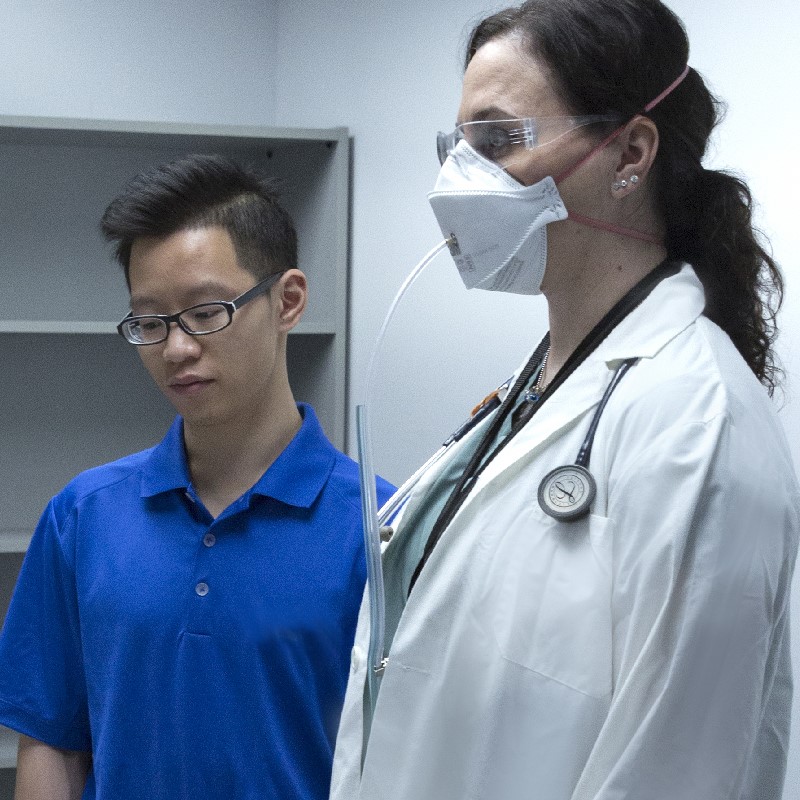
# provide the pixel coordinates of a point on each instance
(705, 526)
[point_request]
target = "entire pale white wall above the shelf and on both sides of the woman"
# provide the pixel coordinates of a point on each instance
(391, 72)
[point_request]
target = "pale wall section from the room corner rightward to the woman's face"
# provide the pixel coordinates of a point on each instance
(391, 72)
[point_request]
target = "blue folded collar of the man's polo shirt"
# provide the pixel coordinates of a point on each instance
(296, 477)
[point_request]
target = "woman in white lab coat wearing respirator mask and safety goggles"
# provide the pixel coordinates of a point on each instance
(617, 629)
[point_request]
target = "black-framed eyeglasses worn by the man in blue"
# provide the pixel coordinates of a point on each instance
(199, 320)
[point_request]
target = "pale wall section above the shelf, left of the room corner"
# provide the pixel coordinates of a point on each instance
(141, 59)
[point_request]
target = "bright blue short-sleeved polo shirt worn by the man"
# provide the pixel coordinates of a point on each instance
(194, 657)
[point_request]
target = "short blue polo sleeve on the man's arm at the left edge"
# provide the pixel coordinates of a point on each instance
(42, 685)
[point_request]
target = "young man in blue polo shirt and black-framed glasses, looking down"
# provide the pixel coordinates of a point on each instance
(183, 621)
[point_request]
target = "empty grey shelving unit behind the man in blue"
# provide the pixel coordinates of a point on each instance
(75, 394)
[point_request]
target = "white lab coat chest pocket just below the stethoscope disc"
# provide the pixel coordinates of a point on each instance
(548, 587)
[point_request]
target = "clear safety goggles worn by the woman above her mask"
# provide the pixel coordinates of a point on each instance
(502, 140)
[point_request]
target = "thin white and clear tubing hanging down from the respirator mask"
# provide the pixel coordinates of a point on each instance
(369, 503)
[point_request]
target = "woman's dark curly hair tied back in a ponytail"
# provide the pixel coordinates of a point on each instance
(615, 56)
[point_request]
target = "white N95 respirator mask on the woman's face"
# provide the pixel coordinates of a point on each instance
(494, 226)
